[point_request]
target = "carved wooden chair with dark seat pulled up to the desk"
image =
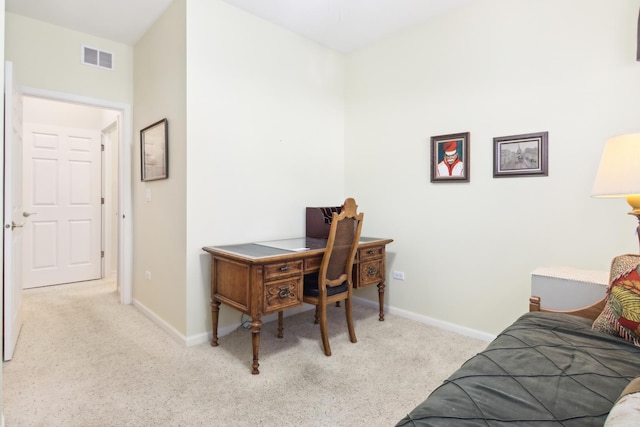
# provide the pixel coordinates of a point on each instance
(333, 283)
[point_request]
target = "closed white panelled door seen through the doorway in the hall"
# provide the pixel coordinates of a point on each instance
(62, 182)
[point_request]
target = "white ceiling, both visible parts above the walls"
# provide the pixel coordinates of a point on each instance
(343, 25)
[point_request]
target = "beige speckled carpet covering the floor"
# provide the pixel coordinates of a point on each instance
(85, 360)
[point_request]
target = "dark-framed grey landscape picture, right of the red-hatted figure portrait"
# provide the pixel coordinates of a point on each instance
(521, 155)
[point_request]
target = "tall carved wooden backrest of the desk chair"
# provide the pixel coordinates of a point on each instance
(342, 244)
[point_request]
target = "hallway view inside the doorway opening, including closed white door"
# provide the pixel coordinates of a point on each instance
(67, 167)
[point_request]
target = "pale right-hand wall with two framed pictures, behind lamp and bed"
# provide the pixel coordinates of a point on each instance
(493, 68)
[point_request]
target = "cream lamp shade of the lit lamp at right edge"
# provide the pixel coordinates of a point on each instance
(619, 171)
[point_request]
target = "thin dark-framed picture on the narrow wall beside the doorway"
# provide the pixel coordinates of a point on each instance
(154, 151)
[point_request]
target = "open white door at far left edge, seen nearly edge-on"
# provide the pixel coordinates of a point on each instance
(13, 215)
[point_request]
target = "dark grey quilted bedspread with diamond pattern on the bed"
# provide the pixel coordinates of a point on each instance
(546, 369)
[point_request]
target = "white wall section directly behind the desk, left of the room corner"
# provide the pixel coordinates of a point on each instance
(266, 137)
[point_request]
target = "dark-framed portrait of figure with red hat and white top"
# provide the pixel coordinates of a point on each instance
(450, 160)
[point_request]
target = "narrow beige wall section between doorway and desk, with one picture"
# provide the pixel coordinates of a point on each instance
(159, 223)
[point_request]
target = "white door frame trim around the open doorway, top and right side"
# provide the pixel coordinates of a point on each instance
(125, 231)
